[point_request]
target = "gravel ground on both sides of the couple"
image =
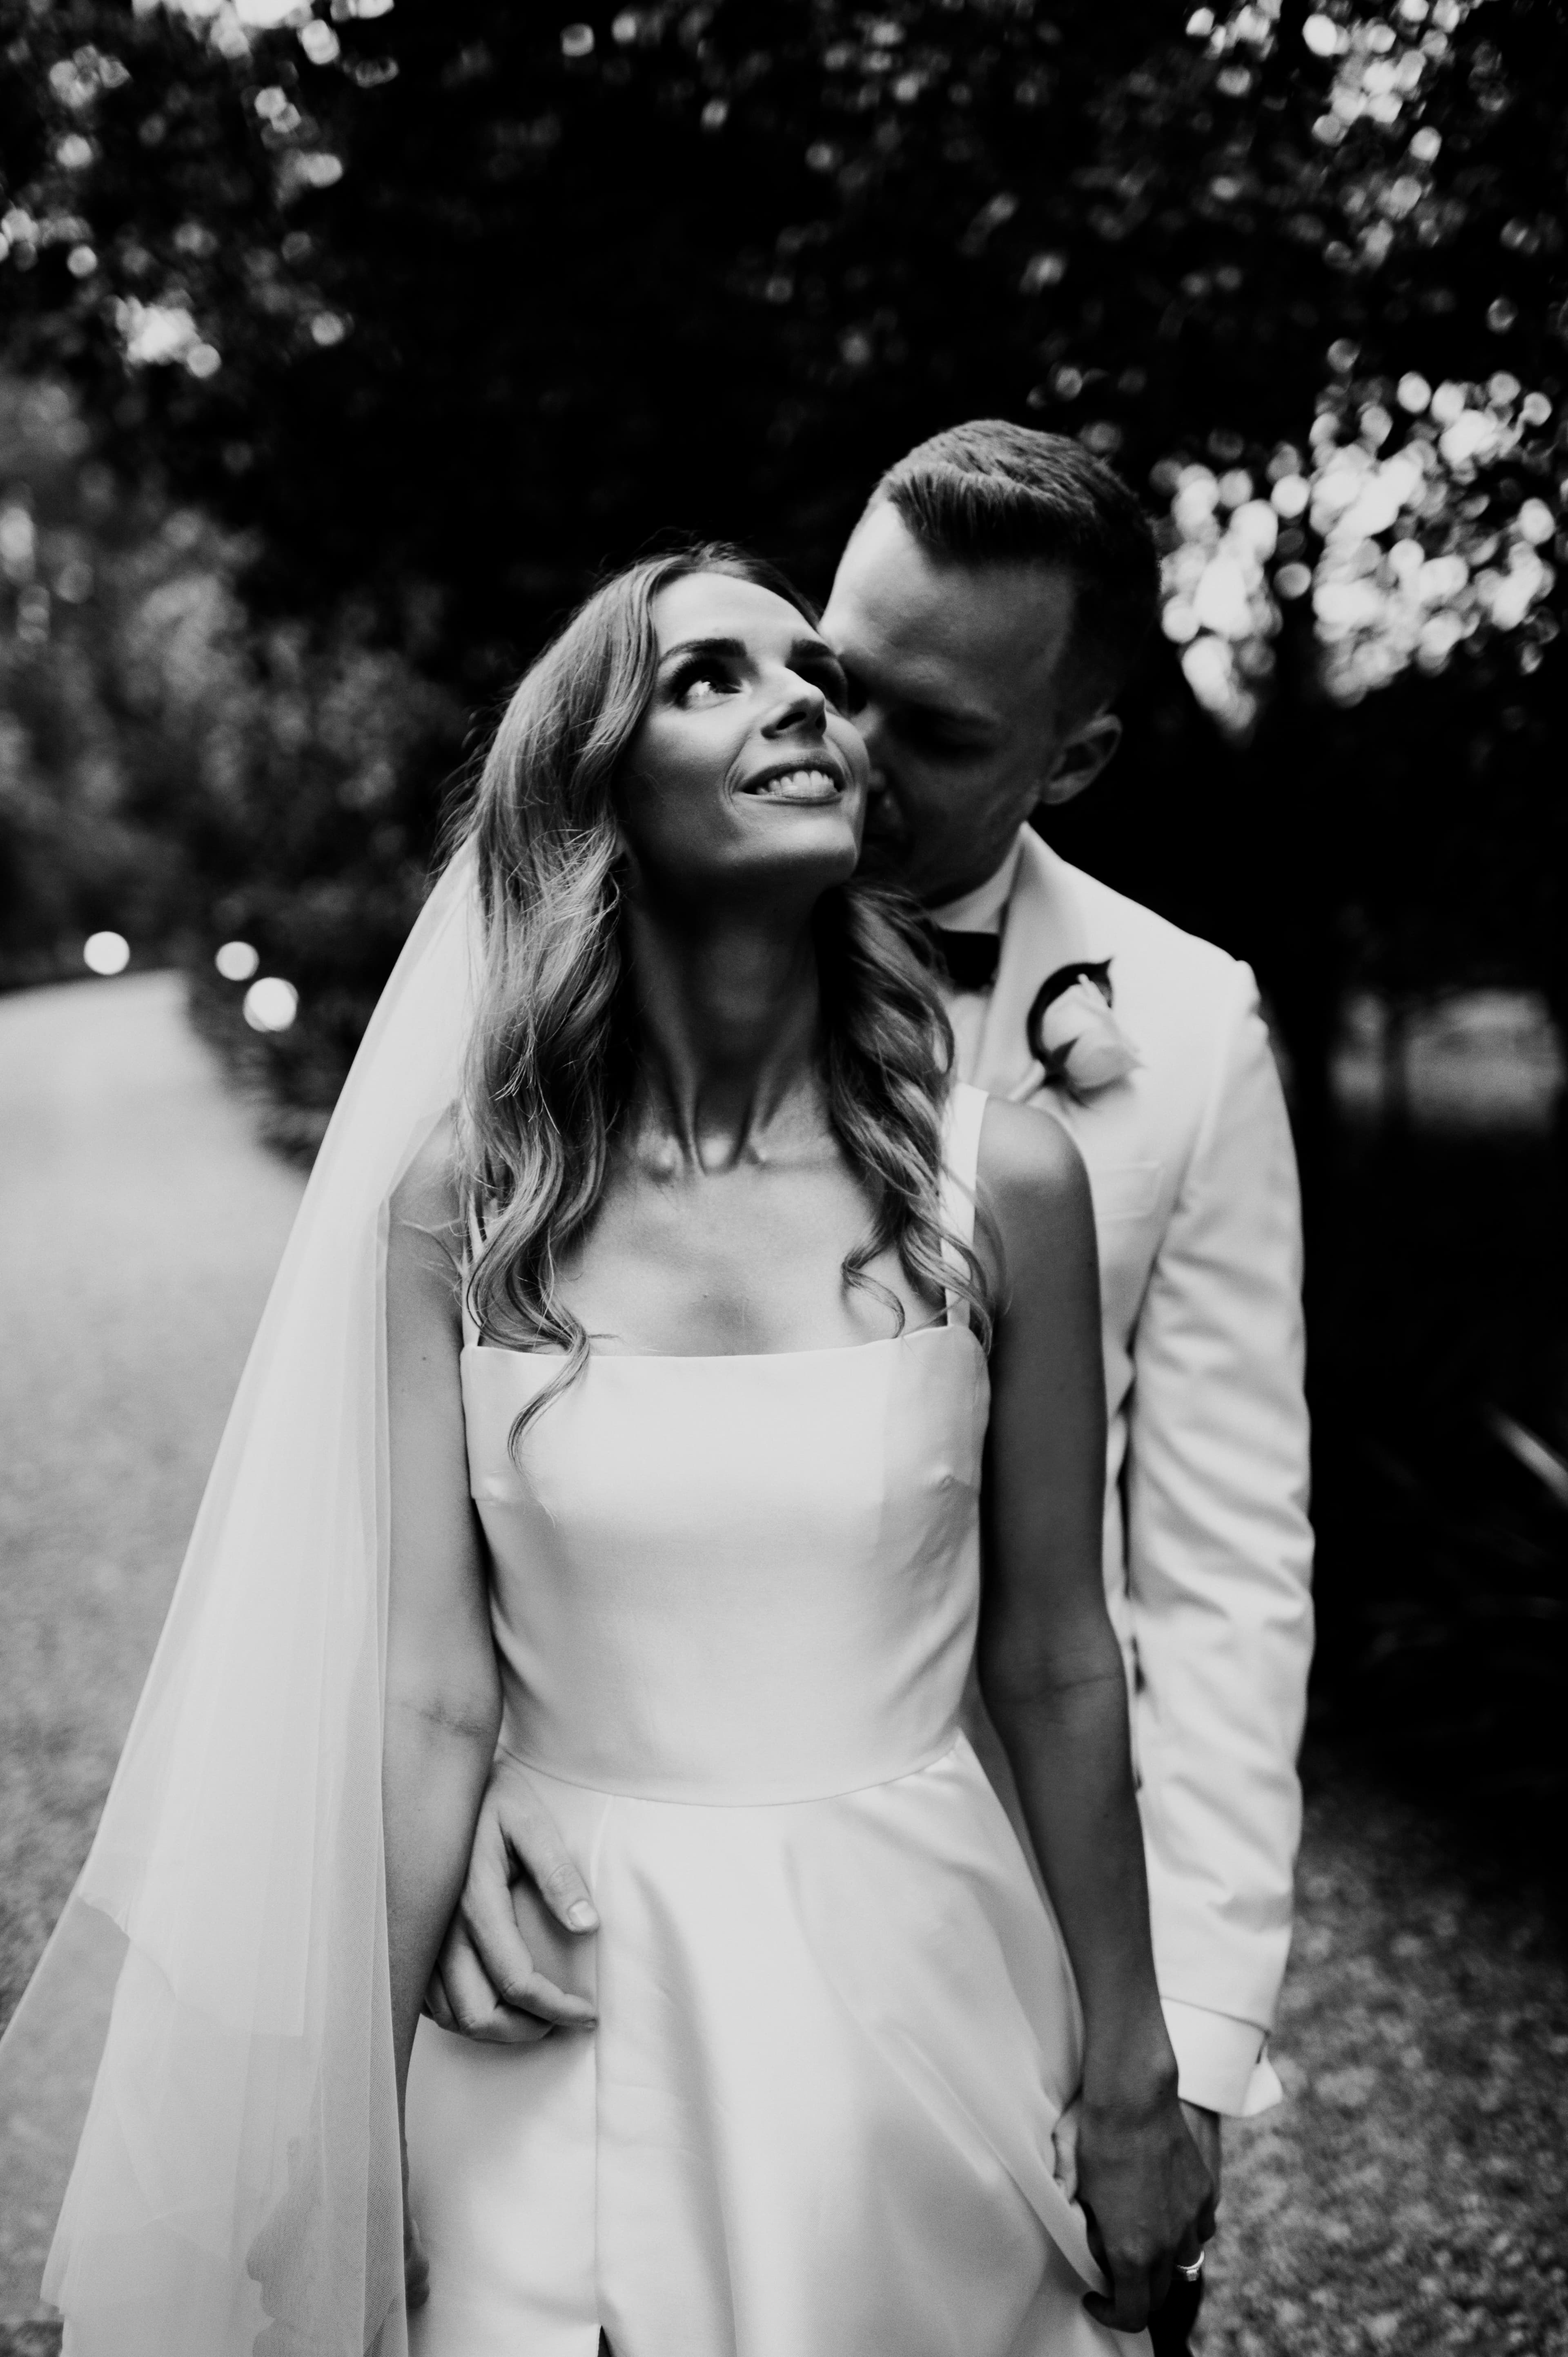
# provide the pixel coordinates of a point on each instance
(1411, 2193)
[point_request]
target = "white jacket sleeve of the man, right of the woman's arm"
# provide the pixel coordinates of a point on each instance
(1220, 1573)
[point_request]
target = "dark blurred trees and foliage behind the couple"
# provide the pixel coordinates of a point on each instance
(341, 352)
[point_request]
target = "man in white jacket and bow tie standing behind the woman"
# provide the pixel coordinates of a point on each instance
(991, 607)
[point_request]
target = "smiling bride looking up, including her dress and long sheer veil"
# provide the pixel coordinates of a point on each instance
(680, 1382)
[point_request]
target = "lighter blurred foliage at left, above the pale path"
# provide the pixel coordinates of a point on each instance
(180, 774)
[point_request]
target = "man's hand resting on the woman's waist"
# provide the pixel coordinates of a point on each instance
(513, 1943)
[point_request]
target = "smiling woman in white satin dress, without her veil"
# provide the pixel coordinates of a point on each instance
(704, 1382)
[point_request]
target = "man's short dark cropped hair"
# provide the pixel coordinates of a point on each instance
(999, 494)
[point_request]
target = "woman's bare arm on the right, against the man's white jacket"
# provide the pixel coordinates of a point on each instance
(1053, 1682)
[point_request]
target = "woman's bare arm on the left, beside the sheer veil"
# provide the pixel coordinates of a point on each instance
(442, 1675)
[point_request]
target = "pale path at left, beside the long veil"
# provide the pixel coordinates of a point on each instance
(140, 1227)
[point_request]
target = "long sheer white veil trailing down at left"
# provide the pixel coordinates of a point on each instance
(237, 2186)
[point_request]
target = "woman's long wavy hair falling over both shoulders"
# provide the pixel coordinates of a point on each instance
(553, 1055)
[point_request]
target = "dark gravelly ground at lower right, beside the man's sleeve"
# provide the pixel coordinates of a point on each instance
(1411, 2196)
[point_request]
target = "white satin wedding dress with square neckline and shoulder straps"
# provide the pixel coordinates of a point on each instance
(734, 1604)
